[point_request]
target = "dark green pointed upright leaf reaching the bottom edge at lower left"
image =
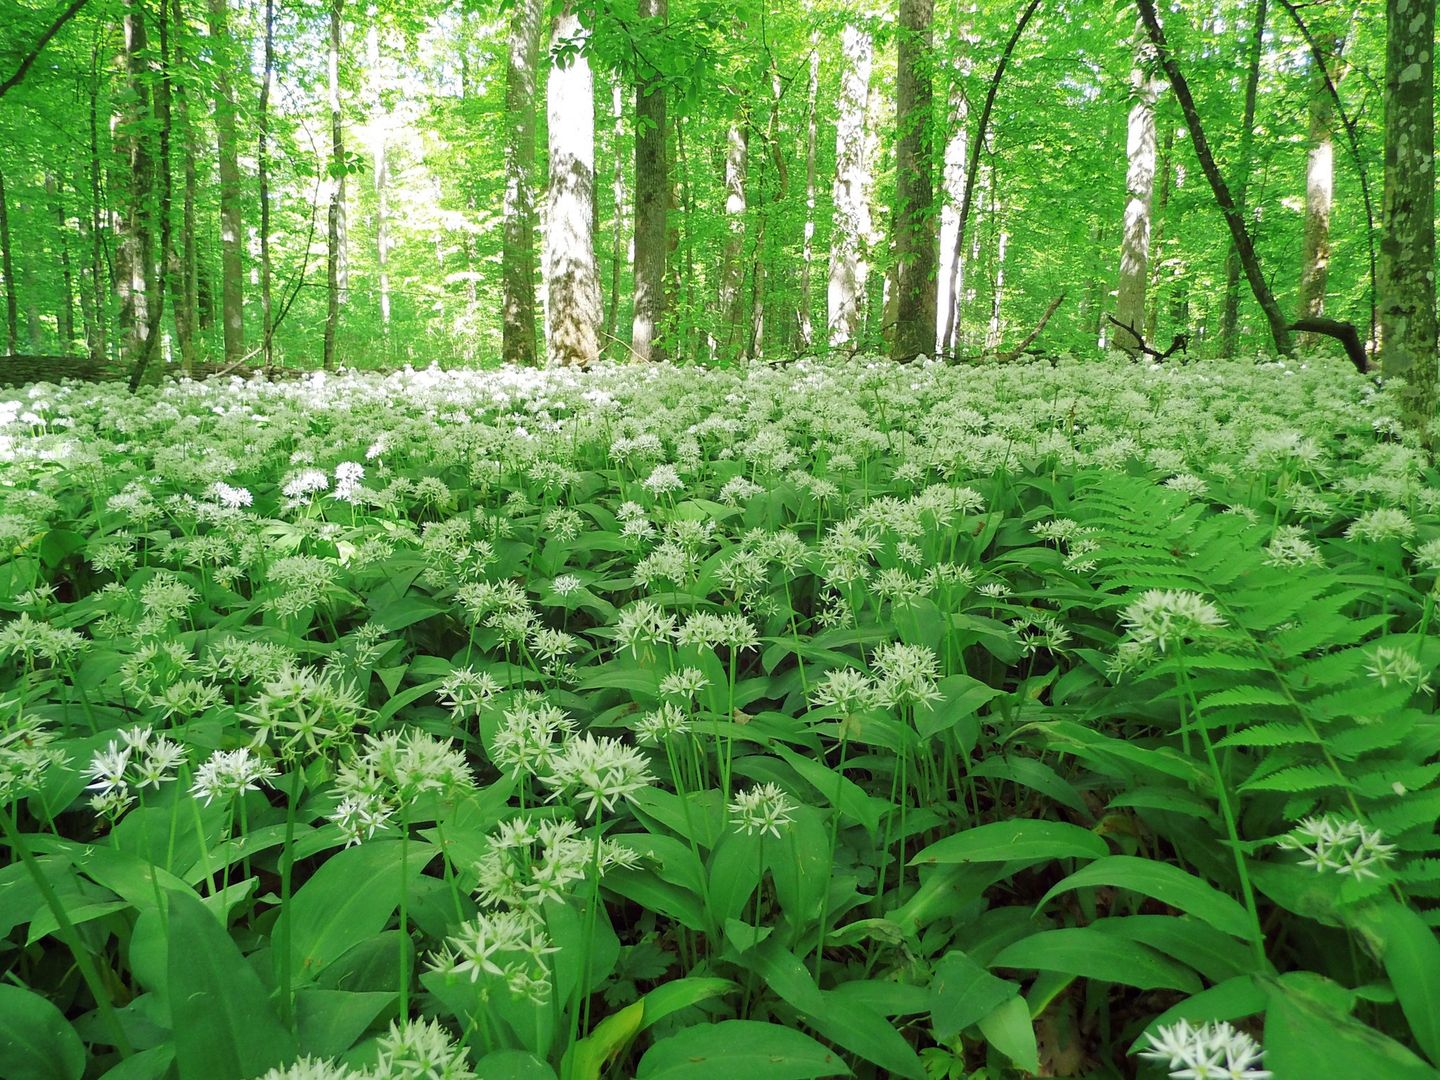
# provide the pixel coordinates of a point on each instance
(222, 1025)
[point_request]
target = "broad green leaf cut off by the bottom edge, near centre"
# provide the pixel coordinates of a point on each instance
(739, 1049)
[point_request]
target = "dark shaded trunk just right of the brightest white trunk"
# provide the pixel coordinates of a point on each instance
(653, 194)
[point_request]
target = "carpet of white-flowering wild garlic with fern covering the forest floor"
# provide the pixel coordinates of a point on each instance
(653, 722)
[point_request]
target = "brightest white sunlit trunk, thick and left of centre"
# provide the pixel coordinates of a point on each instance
(571, 276)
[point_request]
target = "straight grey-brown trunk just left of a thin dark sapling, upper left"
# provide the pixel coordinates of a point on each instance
(233, 218)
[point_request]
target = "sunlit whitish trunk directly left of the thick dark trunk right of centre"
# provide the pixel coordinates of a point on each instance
(849, 269)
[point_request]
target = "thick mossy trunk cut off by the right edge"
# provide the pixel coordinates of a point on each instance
(1408, 233)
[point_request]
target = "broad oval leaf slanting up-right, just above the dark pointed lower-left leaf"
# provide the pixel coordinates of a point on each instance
(349, 899)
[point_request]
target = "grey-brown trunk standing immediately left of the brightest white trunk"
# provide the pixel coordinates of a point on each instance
(518, 269)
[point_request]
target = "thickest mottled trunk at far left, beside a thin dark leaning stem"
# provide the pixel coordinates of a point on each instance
(135, 258)
